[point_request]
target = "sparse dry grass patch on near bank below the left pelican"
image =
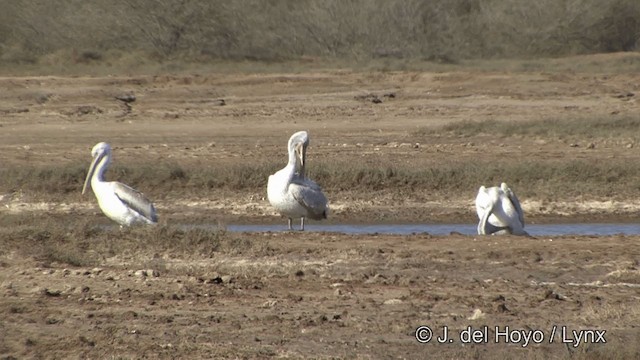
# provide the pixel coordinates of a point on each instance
(77, 242)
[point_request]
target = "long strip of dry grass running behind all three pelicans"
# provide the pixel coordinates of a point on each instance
(545, 179)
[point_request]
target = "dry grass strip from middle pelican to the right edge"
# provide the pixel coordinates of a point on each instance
(562, 180)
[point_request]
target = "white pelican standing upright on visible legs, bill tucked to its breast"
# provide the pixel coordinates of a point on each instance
(290, 192)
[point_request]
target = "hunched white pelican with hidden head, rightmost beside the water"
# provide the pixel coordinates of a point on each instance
(499, 211)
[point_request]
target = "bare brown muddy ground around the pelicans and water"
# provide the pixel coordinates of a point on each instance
(318, 295)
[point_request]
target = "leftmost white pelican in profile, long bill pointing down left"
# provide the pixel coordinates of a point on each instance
(119, 202)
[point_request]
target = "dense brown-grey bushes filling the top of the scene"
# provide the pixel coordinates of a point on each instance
(77, 31)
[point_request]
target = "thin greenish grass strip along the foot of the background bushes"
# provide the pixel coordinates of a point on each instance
(620, 64)
